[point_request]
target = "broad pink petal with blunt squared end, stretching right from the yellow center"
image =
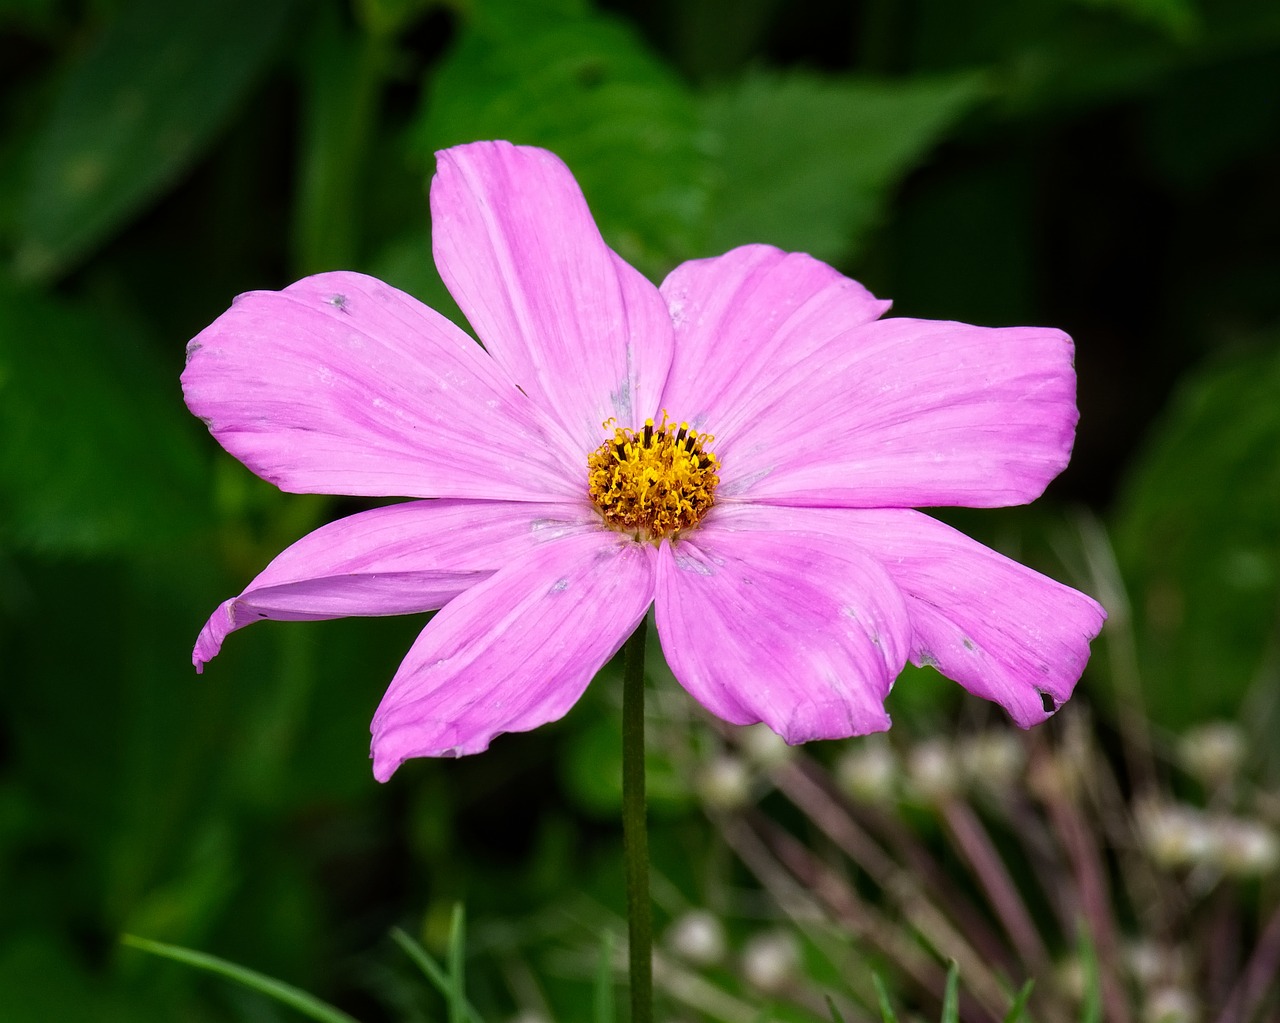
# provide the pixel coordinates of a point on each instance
(911, 413)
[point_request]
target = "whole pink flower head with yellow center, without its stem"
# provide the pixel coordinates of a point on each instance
(766, 513)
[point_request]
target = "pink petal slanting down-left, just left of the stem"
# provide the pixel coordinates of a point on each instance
(516, 651)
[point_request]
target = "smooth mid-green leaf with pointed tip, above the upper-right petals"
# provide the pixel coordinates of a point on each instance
(810, 163)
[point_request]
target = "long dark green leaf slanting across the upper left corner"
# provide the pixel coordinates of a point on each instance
(135, 112)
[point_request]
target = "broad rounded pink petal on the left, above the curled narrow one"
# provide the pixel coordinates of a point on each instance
(344, 385)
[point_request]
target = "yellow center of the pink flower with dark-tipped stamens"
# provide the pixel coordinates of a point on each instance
(656, 482)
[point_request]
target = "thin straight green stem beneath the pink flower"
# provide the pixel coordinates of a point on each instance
(636, 838)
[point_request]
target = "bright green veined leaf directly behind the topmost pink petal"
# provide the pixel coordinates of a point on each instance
(587, 89)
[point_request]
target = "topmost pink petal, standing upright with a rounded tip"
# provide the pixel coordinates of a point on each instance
(579, 330)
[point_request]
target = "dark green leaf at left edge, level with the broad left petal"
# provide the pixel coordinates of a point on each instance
(99, 454)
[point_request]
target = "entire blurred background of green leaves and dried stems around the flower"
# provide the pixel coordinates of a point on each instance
(1103, 166)
